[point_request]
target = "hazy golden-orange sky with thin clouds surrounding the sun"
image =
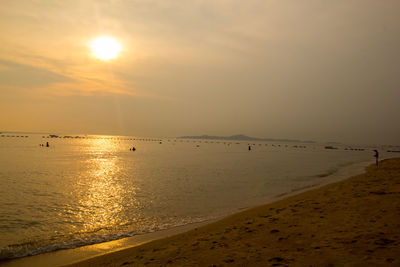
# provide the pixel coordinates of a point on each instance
(308, 70)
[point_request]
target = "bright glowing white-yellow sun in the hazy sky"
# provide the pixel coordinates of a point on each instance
(105, 47)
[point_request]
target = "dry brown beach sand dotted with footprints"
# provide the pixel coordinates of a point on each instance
(350, 223)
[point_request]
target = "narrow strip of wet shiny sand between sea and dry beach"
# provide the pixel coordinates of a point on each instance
(76, 255)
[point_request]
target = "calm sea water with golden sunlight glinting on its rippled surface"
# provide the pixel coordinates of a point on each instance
(83, 191)
